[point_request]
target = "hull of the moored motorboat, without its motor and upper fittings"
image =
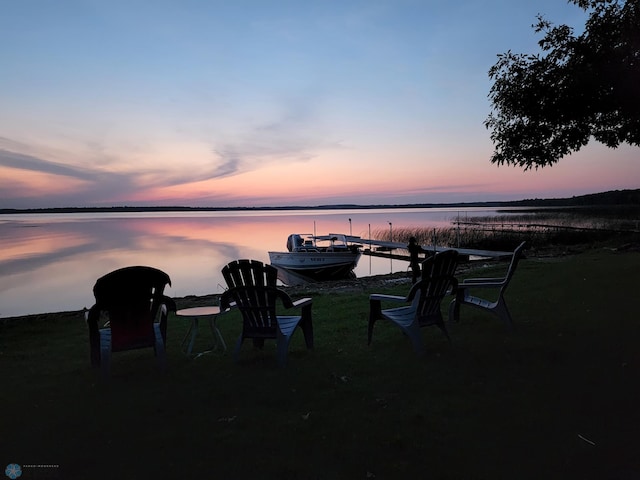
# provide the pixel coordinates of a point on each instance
(317, 265)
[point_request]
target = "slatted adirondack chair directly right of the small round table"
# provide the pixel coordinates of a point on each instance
(252, 289)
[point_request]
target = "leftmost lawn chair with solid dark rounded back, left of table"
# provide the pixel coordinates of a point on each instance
(132, 302)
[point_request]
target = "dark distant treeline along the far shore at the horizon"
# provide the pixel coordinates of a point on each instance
(610, 198)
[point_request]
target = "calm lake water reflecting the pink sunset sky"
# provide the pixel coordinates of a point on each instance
(49, 263)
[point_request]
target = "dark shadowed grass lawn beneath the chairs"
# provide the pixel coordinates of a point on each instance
(556, 398)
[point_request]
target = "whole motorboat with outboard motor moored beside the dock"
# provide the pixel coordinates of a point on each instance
(318, 257)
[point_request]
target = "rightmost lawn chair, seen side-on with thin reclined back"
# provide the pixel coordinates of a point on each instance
(498, 306)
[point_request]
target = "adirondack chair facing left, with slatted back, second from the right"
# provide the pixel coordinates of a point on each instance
(424, 298)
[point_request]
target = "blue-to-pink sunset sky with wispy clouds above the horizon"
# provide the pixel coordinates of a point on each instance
(269, 103)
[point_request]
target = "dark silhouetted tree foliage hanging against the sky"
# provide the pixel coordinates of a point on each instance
(550, 104)
